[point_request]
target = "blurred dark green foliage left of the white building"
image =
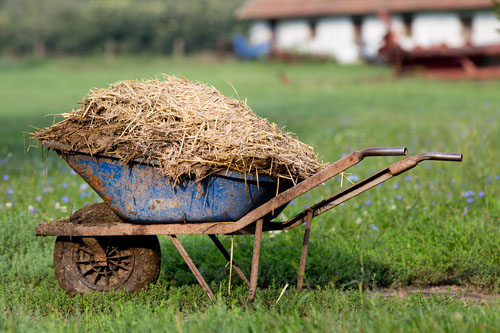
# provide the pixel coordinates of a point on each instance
(125, 26)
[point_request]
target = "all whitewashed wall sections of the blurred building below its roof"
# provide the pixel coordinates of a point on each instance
(336, 36)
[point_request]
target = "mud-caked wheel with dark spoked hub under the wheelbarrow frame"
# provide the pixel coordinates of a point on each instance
(84, 264)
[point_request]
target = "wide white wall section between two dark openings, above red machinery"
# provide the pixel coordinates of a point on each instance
(435, 29)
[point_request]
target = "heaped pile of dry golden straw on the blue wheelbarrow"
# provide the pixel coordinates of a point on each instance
(186, 128)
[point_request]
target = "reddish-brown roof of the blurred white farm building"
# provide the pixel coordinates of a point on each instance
(275, 9)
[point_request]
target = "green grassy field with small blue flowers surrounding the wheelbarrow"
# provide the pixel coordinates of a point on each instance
(438, 224)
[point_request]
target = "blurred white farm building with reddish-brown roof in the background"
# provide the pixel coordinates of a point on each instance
(348, 30)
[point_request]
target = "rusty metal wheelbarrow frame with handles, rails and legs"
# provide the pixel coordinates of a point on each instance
(253, 222)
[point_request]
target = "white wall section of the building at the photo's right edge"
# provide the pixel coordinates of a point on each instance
(485, 29)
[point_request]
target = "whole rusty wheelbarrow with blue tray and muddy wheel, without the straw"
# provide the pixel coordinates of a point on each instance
(113, 245)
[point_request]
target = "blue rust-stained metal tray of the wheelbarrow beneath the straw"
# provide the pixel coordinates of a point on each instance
(139, 193)
